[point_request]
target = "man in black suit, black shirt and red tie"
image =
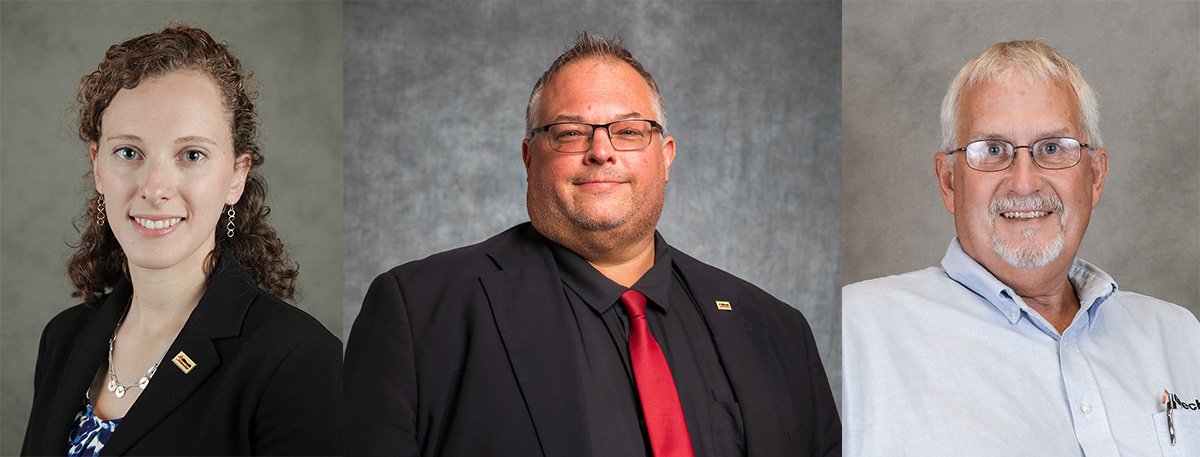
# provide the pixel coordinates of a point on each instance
(583, 333)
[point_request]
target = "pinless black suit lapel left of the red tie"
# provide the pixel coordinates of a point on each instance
(532, 316)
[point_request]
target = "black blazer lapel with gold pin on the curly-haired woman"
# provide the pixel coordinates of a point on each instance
(218, 316)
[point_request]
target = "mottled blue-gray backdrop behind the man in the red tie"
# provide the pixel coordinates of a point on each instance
(435, 107)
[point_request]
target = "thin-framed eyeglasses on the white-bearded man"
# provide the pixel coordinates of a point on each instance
(997, 155)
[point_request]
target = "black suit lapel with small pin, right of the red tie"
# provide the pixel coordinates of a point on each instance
(742, 341)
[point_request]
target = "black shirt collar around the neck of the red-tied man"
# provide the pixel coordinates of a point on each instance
(602, 293)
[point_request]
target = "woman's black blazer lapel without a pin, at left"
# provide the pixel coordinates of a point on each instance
(89, 352)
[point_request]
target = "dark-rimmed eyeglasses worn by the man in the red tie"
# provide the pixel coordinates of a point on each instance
(627, 135)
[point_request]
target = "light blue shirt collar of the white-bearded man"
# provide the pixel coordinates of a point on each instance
(1093, 286)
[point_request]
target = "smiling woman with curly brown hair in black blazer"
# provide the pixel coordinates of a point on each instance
(183, 344)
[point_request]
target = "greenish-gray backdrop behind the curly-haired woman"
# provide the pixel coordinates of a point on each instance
(295, 50)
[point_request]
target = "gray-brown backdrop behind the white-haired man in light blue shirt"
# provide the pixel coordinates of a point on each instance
(1142, 58)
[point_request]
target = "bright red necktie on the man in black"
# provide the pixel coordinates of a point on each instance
(656, 387)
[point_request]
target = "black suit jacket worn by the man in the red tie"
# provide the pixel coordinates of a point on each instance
(467, 353)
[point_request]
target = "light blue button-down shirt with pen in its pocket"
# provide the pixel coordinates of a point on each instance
(950, 362)
